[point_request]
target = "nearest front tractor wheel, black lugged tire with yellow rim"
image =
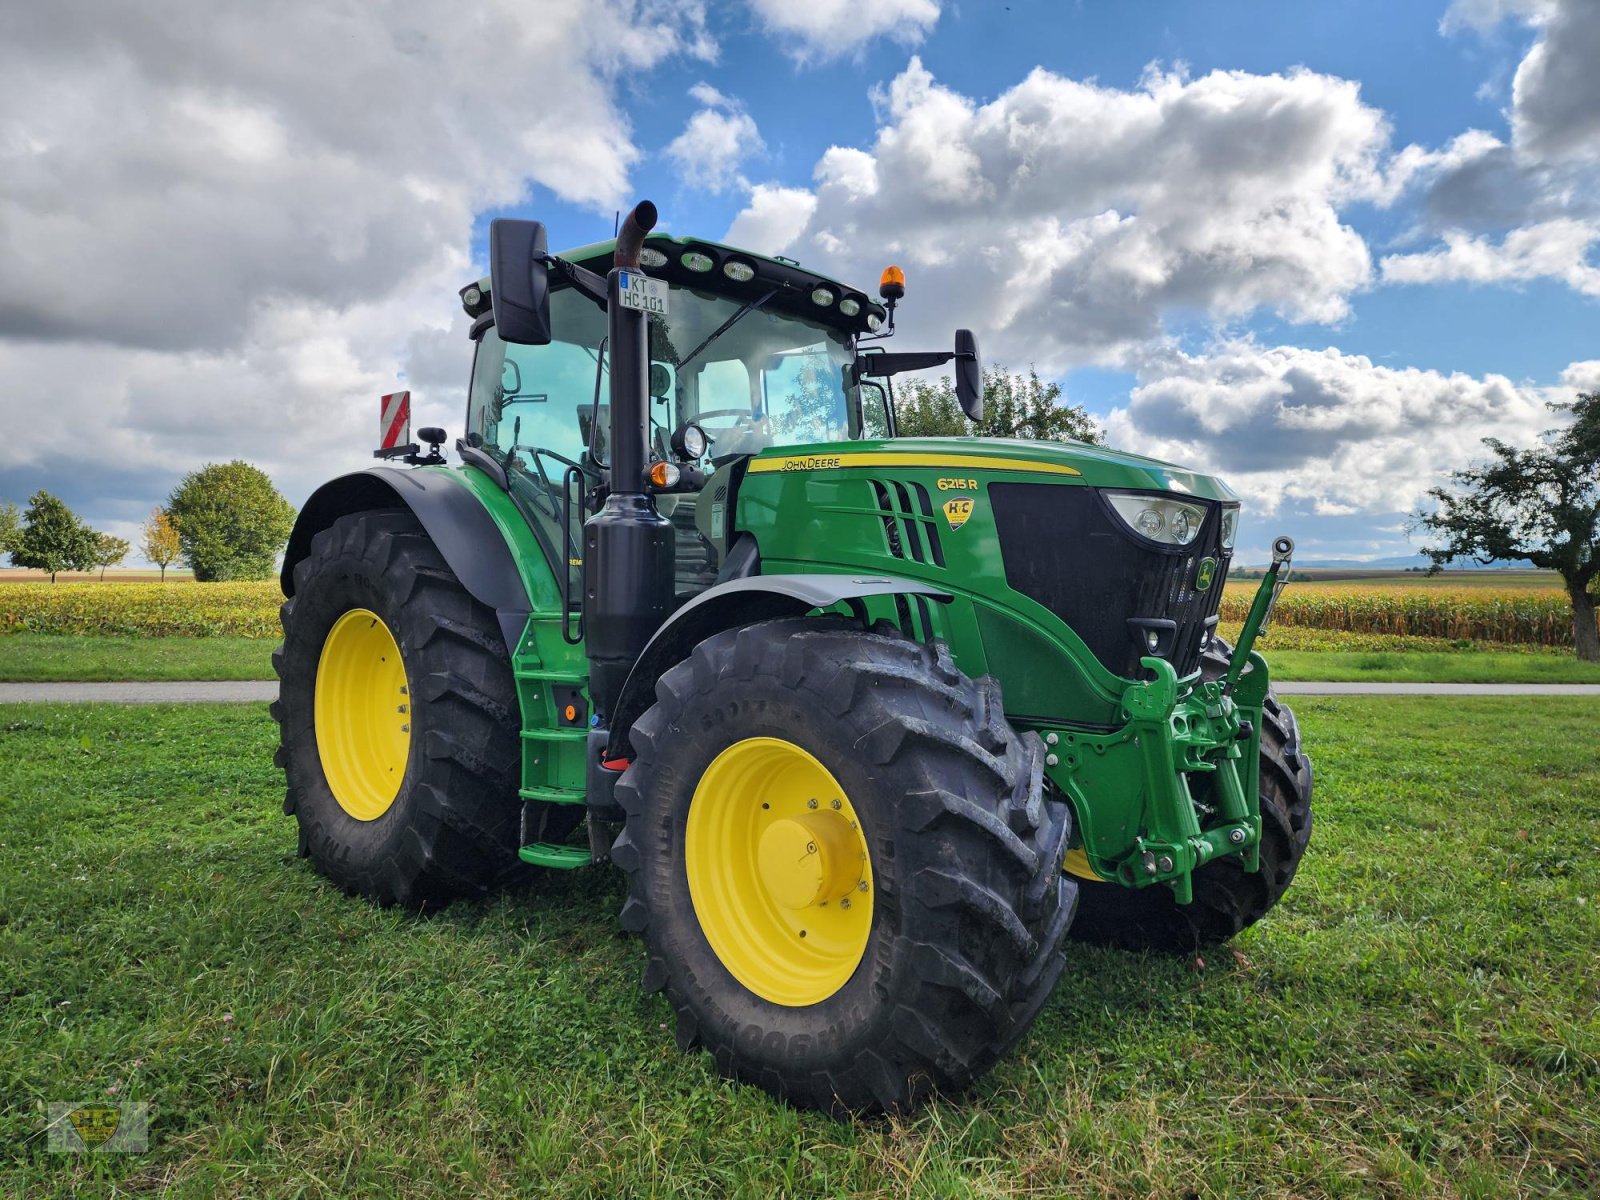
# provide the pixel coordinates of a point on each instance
(844, 865)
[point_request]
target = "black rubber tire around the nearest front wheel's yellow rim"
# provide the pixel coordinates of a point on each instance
(972, 906)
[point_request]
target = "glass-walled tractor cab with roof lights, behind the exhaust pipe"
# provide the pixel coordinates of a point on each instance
(751, 353)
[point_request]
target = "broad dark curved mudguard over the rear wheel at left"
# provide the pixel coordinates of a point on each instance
(454, 519)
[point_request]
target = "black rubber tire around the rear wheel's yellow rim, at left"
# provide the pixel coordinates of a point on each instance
(454, 826)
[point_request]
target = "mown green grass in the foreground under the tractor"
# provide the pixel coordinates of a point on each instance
(1418, 1018)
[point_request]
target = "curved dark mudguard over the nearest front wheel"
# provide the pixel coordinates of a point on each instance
(742, 602)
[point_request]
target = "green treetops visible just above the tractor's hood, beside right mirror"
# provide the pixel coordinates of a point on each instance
(1015, 406)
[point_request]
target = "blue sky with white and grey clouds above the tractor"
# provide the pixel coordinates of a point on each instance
(1318, 250)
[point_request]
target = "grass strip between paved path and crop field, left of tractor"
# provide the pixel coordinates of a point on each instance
(60, 657)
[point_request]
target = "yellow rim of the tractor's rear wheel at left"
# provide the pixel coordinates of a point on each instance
(362, 713)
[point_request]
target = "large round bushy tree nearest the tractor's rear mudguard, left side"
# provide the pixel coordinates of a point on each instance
(231, 522)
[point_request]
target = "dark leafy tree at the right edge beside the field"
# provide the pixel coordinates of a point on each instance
(1542, 505)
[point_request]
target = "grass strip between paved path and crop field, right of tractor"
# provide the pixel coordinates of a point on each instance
(1428, 668)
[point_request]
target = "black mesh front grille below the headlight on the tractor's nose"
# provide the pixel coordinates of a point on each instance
(1065, 548)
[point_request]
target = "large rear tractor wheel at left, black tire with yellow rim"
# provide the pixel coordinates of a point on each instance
(398, 714)
